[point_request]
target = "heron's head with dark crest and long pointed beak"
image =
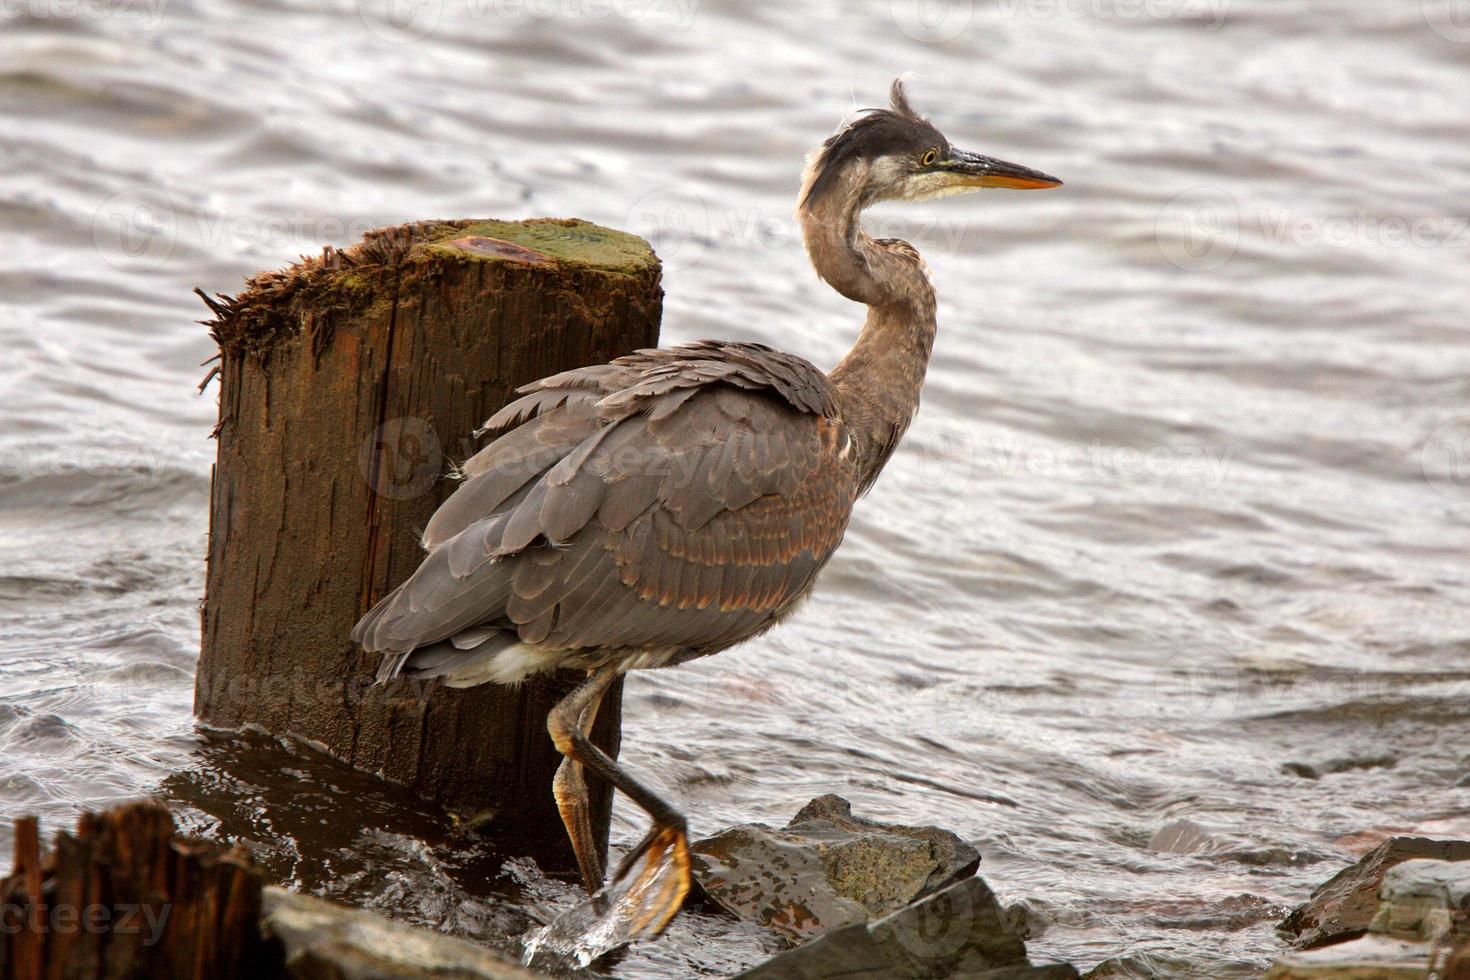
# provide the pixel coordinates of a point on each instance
(897, 155)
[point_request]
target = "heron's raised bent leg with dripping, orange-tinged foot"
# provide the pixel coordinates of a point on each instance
(670, 835)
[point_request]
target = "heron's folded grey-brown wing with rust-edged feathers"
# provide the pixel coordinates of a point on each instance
(674, 499)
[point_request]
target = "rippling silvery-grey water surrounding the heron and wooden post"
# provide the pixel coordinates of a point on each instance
(1180, 534)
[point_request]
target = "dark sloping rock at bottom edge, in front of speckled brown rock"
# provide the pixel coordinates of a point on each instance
(959, 932)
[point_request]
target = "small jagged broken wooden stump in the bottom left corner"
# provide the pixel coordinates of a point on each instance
(127, 898)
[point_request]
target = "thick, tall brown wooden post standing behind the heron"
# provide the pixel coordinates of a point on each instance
(349, 384)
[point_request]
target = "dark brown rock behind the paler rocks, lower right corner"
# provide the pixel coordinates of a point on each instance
(1344, 906)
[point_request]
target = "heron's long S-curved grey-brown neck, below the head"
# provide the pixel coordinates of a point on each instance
(878, 383)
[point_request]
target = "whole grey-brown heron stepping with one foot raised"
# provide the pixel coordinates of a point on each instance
(677, 502)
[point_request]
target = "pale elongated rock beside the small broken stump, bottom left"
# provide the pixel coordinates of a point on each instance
(326, 941)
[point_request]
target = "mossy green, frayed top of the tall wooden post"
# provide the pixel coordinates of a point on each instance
(348, 283)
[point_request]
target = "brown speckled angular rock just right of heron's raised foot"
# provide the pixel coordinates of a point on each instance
(827, 869)
